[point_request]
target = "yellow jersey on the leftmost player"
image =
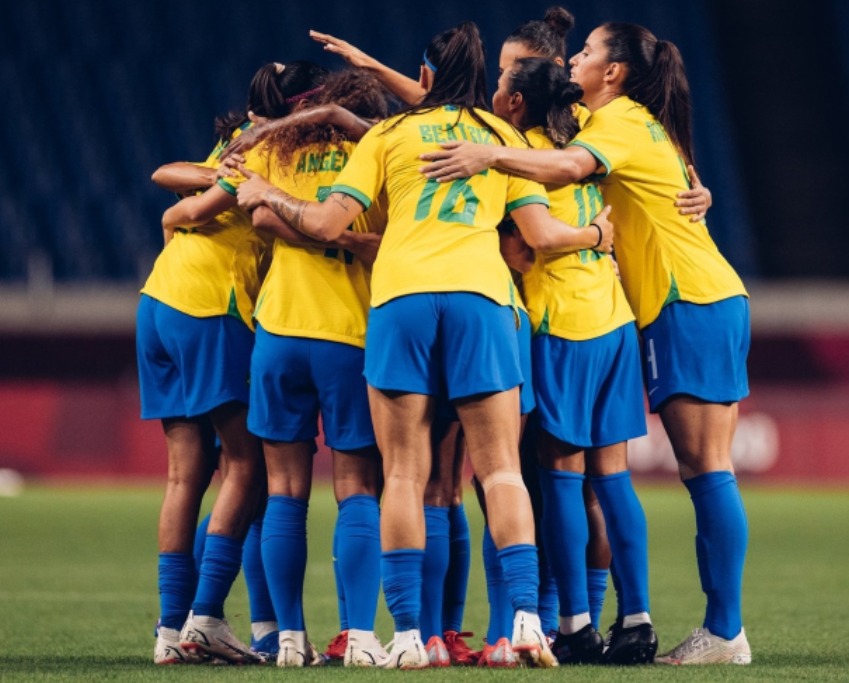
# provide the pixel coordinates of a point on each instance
(213, 269)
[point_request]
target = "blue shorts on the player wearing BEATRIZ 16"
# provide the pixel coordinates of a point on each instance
(457, 342)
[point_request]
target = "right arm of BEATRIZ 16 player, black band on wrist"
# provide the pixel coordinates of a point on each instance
(542, 231)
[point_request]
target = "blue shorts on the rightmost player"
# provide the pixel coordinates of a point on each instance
(699, 350)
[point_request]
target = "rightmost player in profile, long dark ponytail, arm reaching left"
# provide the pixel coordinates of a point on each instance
(691, 307)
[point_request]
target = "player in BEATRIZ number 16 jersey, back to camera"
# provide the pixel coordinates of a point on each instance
(445, 322)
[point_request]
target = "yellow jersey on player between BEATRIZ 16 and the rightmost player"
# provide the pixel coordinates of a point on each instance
(573, 295)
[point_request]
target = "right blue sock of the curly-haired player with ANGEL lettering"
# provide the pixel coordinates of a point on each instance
(358, 559)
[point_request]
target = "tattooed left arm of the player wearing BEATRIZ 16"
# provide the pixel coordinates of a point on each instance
(322, 221)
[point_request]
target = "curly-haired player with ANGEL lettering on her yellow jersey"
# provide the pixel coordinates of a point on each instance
(308, 359)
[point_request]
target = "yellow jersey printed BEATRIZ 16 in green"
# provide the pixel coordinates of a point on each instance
(440, 237)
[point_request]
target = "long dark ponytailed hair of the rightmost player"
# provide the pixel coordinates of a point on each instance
(656, 79)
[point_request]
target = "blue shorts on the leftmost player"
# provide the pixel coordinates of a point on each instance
(188, 365)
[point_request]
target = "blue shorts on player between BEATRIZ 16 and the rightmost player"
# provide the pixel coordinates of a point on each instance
(590, 393)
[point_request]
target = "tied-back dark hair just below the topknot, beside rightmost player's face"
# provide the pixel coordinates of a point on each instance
(548, 95)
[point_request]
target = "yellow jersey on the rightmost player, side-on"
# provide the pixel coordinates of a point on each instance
(662, 256)
